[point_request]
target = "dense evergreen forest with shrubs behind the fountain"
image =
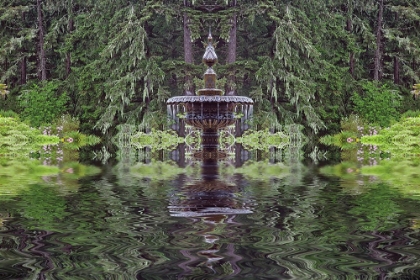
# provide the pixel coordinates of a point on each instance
(113, 62)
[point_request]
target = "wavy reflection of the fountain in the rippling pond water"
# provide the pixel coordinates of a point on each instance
(211, 203)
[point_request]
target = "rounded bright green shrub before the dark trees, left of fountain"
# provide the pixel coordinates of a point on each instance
(41, 104)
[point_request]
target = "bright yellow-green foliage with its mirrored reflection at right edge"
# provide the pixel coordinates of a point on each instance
(390, 154)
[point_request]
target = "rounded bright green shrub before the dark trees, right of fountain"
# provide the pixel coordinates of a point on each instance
(377, 104)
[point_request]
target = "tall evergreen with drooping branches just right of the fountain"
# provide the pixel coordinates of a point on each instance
(289, 76)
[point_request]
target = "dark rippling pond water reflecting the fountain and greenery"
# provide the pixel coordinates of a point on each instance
(292, 218)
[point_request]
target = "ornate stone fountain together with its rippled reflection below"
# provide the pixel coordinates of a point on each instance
(214, 201)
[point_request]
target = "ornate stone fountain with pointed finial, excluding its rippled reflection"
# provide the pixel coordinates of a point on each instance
(209, 110)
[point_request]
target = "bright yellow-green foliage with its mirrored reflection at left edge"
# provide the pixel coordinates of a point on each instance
(28, 155)
